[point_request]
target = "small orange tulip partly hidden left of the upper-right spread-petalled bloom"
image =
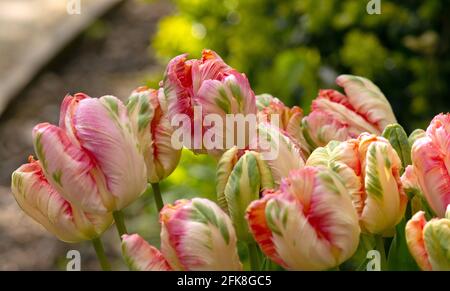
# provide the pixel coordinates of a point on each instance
(288, 119)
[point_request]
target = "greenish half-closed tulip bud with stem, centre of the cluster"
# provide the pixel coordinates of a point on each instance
(240, 181)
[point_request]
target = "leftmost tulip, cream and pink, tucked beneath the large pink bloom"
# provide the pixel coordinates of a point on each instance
(44, 204)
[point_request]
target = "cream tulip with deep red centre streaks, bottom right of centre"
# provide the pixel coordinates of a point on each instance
(309, 224)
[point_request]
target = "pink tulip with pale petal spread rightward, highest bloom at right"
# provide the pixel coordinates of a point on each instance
(335, 116)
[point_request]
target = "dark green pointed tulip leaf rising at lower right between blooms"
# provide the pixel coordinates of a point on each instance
(399, 258)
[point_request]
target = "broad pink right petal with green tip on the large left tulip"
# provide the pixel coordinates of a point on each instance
(103, 129)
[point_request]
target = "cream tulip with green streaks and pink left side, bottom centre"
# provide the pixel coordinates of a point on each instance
(197, 235)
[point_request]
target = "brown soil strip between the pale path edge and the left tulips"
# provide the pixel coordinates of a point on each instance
(112, 58)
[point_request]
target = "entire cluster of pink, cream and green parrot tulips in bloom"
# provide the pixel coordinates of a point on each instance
(347, 179)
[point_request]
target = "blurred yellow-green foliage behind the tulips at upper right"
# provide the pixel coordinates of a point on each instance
(292, 48)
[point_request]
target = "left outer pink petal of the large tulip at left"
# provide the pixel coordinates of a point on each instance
(68, 168)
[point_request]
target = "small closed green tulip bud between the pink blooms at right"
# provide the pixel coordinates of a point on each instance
(398, 138)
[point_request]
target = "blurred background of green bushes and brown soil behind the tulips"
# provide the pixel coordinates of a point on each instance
(288, 48)
